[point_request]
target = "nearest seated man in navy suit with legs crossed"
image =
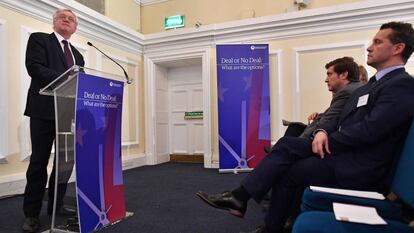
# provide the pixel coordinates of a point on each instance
(354, 150)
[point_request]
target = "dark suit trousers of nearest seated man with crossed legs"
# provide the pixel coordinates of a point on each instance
(291, 165)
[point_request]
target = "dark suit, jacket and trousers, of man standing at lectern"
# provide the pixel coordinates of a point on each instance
(45, 62)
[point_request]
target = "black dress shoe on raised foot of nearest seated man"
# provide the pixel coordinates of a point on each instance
(225, 201)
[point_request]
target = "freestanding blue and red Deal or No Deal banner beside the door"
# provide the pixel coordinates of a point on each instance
(243, 105)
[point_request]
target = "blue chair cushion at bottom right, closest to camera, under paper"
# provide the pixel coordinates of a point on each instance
(325, 222)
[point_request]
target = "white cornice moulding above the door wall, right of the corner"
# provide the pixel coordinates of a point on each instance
(346, 17)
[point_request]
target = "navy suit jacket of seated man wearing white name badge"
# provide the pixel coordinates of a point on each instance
(365, 138)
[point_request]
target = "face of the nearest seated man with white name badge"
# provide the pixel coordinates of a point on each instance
(381, 50)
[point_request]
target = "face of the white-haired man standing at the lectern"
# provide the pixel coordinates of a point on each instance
(65, 24)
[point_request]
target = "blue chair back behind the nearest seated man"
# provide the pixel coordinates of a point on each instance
(403, 180)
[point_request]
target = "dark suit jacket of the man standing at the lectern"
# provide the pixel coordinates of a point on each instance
(45, 61)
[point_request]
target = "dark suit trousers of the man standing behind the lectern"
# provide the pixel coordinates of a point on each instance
(42, 133)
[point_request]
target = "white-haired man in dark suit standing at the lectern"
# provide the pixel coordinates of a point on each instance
(47, 57)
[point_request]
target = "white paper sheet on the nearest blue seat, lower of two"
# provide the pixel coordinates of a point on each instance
(357, 214)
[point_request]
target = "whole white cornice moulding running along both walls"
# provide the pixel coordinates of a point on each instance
(355, 16)
